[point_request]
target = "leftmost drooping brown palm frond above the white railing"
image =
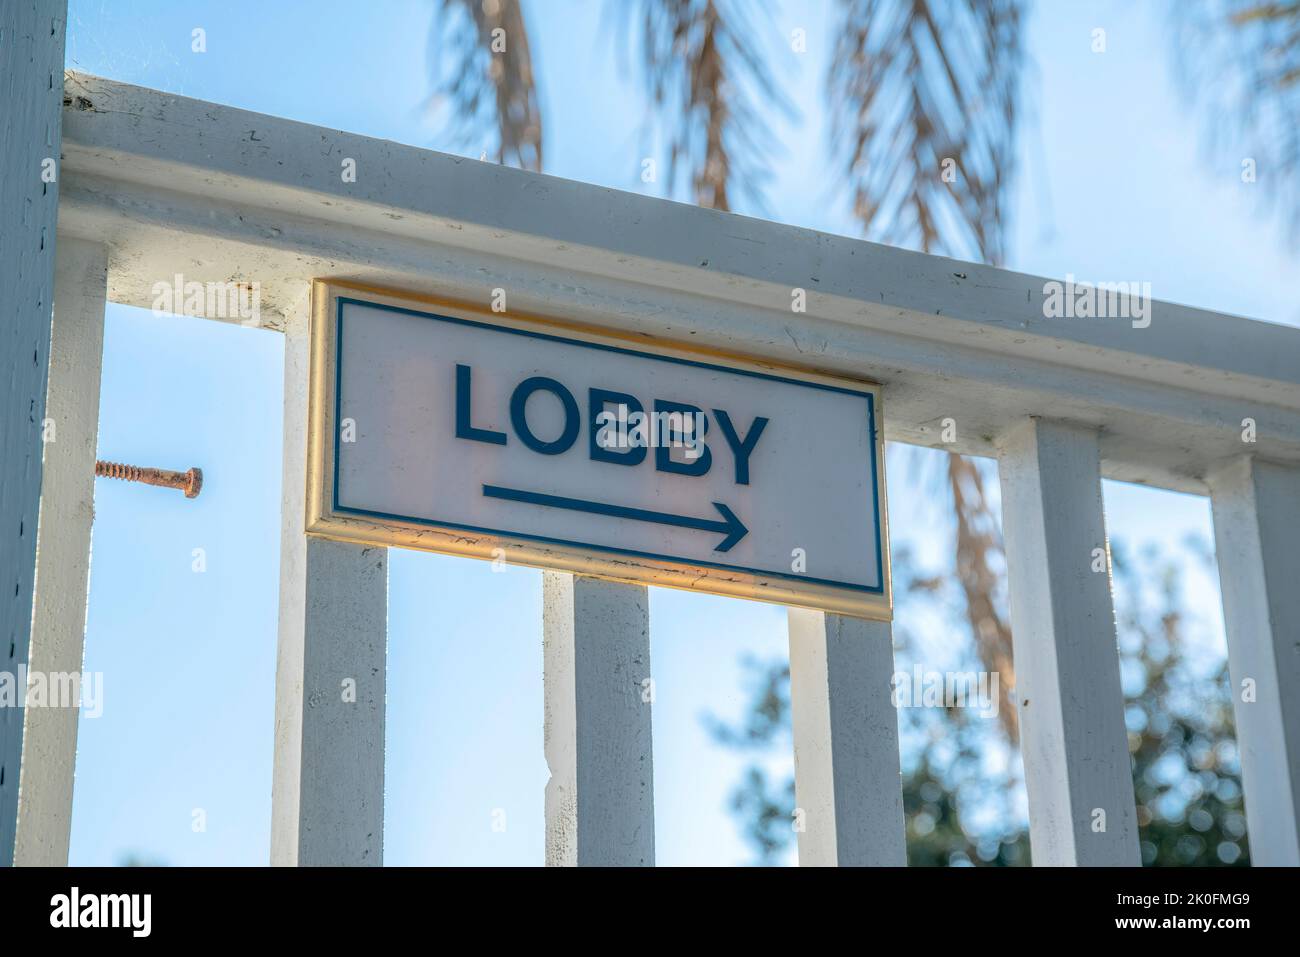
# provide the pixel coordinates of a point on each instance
(484, 71)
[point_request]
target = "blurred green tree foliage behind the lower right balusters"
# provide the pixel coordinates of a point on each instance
(961, 808)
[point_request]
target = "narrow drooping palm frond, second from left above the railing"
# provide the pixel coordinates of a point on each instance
(709, 85)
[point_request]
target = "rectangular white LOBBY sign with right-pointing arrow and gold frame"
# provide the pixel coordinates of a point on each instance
(474, 434)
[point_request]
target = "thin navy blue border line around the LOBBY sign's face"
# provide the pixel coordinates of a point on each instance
(692, 562)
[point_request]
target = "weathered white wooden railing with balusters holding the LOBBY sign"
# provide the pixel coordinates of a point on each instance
(154, 185)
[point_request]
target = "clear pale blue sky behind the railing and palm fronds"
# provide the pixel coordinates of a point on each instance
(1115, 185)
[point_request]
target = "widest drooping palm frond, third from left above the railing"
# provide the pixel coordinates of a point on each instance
(920, 89)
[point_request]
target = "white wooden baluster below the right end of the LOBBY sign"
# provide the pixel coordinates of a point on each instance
(848, 787)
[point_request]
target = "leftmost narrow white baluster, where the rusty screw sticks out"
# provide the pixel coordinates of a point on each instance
(63, 549)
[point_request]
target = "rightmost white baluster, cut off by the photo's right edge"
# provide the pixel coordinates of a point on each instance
(1258, 544)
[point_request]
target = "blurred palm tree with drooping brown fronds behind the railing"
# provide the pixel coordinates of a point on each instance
(925, 99)
